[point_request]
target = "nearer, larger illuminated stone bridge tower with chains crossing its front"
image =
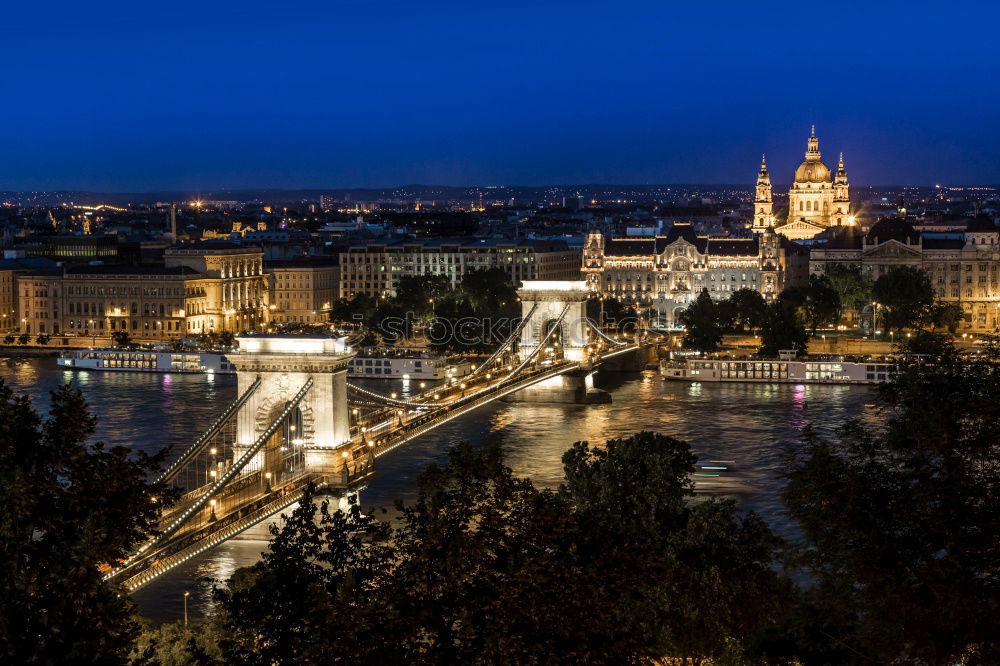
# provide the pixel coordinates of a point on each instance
(284, 364)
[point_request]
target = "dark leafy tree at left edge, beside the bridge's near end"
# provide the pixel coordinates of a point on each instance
(71, 508)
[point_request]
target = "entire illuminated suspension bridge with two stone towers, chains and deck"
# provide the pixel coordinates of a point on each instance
(298, 421)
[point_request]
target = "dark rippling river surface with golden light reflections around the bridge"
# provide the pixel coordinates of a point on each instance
(748, 424)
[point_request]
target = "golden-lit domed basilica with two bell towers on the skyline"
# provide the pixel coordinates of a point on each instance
(816, 200)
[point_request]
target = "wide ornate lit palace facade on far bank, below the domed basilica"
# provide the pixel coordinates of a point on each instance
(668, 272)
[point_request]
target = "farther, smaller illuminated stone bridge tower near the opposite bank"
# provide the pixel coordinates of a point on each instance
(561, 304)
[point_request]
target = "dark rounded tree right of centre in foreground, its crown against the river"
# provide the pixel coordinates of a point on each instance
(694, 571)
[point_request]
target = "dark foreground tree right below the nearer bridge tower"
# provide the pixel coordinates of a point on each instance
(312, 597)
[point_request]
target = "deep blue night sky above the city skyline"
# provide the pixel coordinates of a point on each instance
(130, 96)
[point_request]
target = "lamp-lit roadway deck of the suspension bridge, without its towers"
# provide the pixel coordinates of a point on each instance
(376, 435)
